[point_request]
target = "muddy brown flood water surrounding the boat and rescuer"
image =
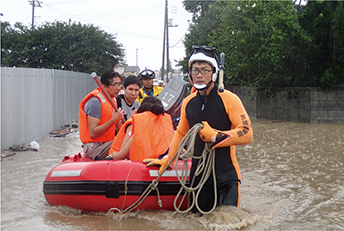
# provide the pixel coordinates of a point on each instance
(292, 179)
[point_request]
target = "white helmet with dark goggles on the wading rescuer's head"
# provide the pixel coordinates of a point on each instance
(204, 53)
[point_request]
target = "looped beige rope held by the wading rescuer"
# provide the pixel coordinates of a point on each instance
(205, 167)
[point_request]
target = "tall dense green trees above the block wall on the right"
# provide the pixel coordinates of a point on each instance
(272, 44)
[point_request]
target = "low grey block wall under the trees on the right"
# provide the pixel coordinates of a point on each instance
(307, 105)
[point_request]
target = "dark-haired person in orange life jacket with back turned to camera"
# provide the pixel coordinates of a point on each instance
(147, 134)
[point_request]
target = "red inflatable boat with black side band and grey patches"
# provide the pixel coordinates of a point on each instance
(100, 186)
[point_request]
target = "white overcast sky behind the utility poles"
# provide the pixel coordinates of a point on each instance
(139, 24)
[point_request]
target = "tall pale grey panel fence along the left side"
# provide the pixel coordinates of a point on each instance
(35, 102)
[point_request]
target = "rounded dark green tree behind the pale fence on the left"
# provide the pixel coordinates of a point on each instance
(60, 45)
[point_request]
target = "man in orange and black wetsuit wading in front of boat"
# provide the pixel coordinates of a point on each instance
(226, 124)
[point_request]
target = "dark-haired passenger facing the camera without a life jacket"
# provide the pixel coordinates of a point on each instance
(127, 101)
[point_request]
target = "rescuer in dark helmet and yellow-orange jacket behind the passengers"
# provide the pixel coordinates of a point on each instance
(146, 77)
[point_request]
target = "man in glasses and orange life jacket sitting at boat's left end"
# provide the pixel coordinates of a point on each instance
(97, 118)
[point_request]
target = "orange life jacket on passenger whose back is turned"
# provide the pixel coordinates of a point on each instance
(152, 135)
